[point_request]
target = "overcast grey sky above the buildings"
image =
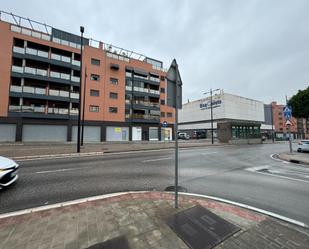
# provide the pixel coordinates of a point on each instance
(253, 48)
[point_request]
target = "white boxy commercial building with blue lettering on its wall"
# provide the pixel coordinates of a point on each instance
(244, 115)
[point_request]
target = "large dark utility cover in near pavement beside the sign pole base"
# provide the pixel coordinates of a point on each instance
(200, 228)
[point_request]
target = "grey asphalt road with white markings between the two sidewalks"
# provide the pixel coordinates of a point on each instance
(244, 174)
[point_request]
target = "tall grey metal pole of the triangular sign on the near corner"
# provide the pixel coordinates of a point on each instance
(176, 140)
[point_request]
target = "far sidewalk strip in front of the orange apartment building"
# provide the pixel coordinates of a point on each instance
(35, 149)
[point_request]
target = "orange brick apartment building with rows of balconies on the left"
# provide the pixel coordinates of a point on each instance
(40, 67)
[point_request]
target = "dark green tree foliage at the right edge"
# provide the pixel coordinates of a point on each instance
(300, 104)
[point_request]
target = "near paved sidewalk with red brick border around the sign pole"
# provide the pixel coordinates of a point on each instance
(141, 219)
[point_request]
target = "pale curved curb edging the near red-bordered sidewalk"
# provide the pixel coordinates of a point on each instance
(118, 194)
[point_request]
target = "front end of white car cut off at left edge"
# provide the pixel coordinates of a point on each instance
(8, 172)
